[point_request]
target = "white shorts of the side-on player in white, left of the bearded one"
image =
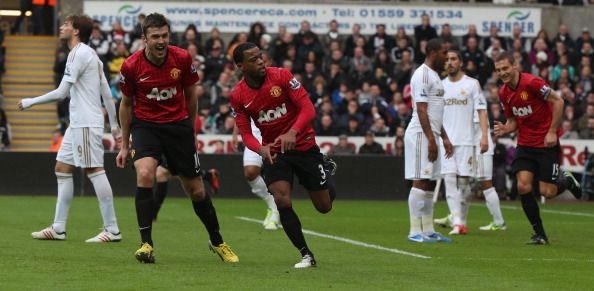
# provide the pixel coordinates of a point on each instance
(416, 152)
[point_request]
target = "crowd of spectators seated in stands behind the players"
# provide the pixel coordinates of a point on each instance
(359, 83)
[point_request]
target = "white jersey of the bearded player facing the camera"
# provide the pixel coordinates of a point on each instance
(462, 99)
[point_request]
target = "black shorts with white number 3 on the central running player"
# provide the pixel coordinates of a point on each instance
(308, 166)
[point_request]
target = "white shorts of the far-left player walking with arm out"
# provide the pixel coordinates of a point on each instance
(82, 147)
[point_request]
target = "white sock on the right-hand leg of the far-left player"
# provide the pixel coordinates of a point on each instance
(105, 197)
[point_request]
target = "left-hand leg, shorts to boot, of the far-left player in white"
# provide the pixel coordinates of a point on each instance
(63, 170)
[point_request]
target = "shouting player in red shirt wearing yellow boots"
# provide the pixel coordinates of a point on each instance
(159, 109)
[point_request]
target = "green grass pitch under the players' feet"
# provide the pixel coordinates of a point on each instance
(370, 261)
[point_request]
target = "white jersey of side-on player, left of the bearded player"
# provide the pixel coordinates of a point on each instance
(426, 86)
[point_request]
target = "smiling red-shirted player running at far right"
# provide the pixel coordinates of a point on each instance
(534, 110)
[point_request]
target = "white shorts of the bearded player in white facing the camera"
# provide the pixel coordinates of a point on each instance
(461, 163)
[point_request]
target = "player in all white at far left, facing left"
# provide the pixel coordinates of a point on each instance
(82, 145)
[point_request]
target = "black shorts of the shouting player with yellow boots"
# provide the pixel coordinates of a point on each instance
(170, 143)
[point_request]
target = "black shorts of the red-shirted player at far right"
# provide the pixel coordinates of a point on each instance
(542, 162)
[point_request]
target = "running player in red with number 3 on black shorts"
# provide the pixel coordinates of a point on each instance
(281, 109)
